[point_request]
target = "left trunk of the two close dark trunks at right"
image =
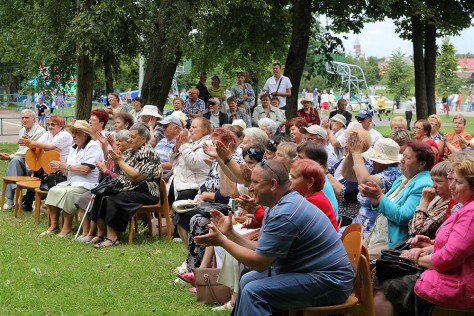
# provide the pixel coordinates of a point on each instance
(418, 59)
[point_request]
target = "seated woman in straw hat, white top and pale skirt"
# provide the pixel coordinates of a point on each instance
(82, 175)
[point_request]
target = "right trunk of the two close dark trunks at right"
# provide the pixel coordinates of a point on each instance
(430, 67)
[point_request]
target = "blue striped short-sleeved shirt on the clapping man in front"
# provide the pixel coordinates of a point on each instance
(303, 240)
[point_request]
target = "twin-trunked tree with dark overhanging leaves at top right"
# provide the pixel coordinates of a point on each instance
(422, 21)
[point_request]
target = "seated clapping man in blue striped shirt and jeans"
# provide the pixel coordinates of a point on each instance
(299, 259)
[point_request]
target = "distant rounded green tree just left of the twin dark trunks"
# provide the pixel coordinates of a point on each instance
(399, 75)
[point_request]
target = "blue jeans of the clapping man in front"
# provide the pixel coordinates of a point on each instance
(261, 295)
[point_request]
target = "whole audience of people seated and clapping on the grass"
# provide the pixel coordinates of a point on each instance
(339, 170)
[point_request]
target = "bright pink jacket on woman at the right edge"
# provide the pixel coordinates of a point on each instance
(451, 282)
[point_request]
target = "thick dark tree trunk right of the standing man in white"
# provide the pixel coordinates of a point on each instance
(295, 60)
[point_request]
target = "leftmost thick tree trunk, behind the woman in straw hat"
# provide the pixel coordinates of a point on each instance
(85, 80)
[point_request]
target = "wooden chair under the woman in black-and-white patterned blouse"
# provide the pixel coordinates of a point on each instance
(161, 209)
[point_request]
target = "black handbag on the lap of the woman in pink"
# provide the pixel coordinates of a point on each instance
(390, 265)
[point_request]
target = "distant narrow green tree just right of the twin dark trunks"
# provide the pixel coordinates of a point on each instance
(446, 67)
